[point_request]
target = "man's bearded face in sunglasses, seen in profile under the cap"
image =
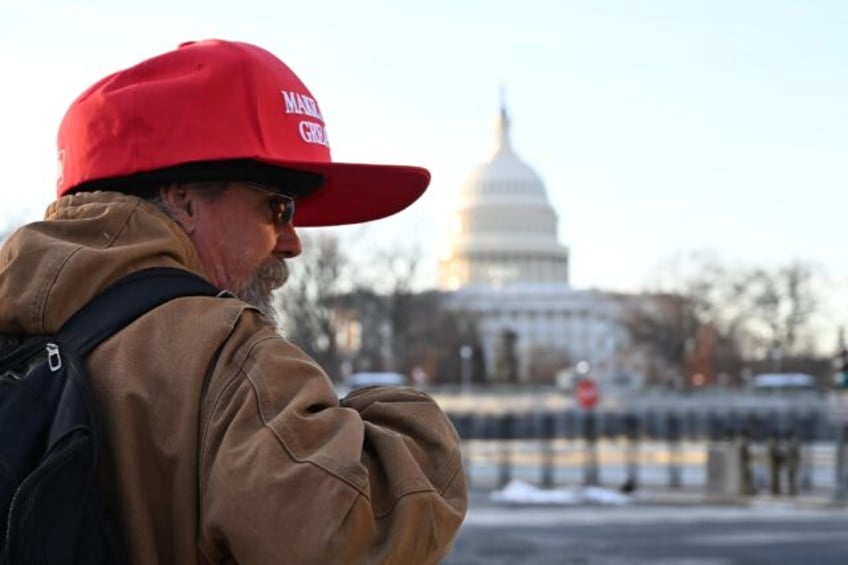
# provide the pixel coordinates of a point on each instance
(243, 239)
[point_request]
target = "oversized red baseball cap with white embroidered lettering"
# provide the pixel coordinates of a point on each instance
(222, 110)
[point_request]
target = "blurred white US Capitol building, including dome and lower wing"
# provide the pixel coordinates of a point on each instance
(505, 270)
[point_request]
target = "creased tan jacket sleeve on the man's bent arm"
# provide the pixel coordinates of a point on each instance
(291, 474)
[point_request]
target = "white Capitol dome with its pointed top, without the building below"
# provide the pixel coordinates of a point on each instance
(504, 229)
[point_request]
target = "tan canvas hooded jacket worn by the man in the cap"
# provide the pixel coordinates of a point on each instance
(224, 442)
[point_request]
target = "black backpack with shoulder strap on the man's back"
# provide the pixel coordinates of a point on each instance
(49, 431)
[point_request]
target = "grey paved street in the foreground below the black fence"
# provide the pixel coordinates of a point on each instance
(657, 527)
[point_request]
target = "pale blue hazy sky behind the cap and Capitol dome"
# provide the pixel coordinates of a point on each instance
(658, 126)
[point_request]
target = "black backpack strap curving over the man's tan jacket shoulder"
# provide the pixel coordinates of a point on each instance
(126, 300)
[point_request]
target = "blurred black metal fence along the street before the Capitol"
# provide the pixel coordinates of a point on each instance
(631, 430)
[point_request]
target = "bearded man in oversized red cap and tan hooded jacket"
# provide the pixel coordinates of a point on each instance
(224, 443)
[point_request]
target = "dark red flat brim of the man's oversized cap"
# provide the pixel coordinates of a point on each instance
(353, 193)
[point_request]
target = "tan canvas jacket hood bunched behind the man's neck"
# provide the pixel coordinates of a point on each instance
(49, 269)
